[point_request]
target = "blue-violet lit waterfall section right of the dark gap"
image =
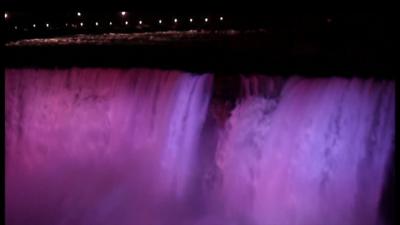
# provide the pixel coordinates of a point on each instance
(314, 154)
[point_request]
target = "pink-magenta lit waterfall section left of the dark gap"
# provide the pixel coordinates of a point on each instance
(95, 146)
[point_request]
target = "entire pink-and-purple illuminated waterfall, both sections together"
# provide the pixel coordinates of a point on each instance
(108, 146)
